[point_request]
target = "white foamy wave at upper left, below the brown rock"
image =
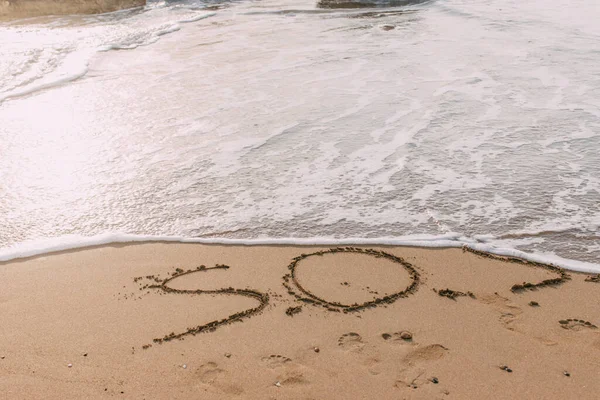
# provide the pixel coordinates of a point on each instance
(36, 56)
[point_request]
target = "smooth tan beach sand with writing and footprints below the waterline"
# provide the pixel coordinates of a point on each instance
(93, 309)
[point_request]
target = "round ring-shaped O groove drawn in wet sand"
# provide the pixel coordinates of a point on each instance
(292, 285)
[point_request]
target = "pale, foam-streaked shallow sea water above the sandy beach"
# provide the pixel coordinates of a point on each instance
(477, 120)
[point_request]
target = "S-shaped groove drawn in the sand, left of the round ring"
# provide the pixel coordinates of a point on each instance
(162, 285)
